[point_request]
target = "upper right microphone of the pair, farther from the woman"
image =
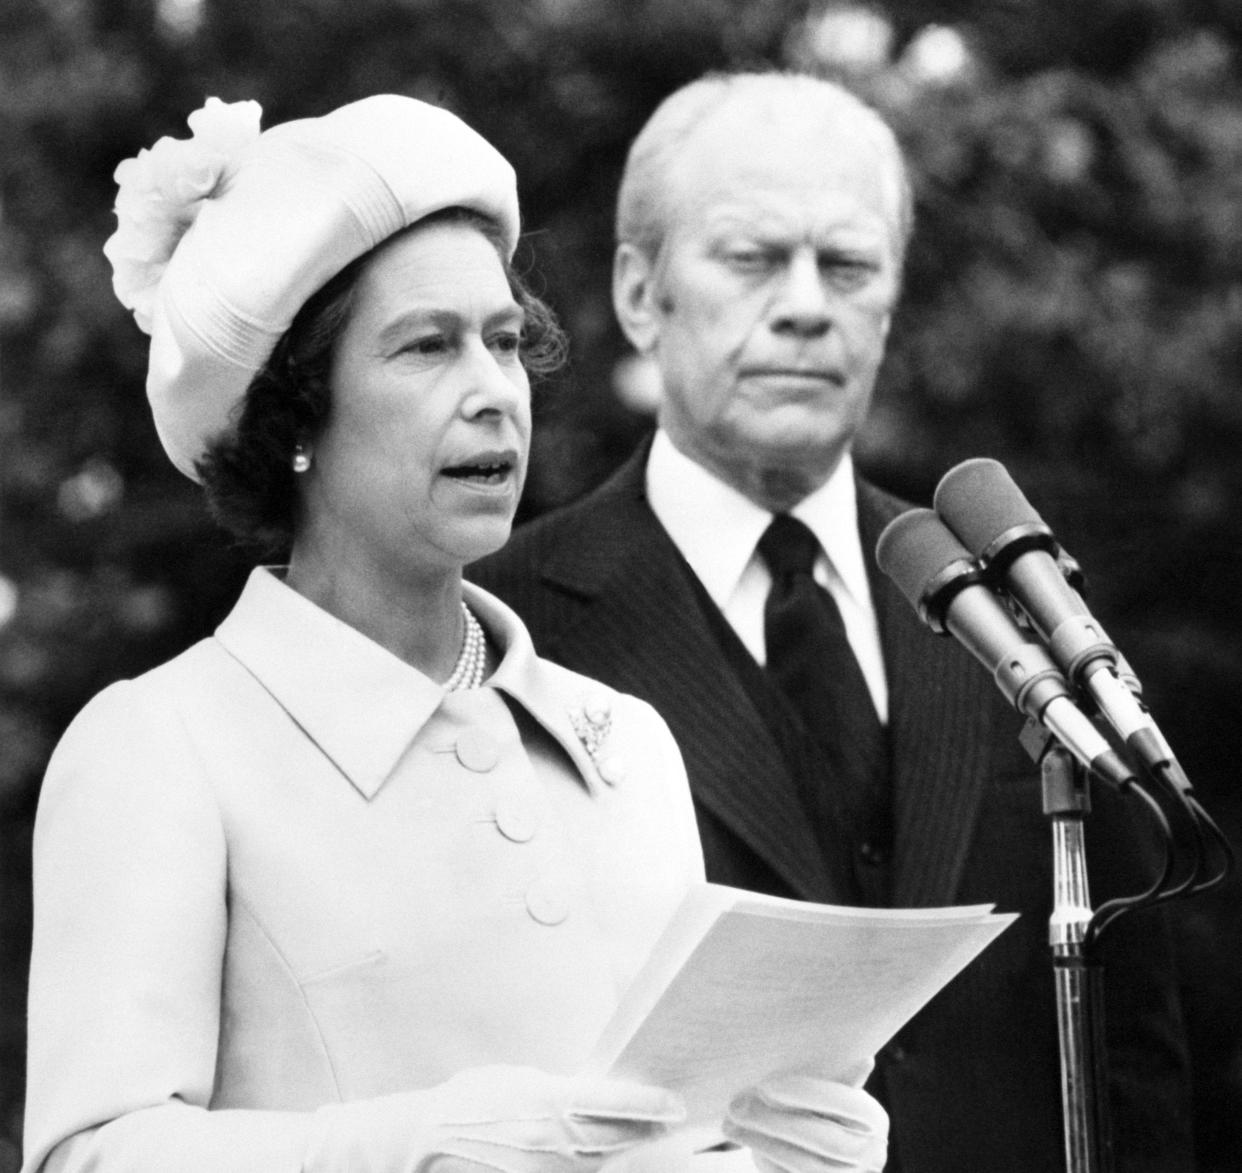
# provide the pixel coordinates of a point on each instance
(984, 508)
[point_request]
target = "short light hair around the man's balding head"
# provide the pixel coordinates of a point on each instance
(645, 202)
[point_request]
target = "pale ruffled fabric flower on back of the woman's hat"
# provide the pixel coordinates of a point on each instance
(161, 193)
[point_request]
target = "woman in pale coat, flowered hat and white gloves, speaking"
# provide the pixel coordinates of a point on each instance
(355, 884)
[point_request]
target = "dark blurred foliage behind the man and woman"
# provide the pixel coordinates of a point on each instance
(1074, 309)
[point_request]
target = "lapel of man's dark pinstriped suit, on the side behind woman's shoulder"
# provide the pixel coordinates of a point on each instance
(633, 618)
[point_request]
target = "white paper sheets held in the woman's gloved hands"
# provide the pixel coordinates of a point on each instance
(741, 986)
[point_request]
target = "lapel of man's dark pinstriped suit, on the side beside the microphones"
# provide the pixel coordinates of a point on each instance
(942, 710)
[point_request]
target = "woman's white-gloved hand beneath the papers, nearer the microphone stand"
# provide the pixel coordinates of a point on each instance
(803, 1124)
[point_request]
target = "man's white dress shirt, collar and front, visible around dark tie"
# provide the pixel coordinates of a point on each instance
(717, 530)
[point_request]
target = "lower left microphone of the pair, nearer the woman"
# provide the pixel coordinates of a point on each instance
(937, 573)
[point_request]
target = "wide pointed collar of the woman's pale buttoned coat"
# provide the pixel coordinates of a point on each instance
(358, 703)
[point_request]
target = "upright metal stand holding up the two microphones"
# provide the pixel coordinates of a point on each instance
(1079, 977)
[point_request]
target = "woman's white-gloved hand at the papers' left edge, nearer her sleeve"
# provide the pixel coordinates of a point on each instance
(521, 1120)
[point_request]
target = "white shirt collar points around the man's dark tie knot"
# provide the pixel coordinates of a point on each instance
(717, 529)
